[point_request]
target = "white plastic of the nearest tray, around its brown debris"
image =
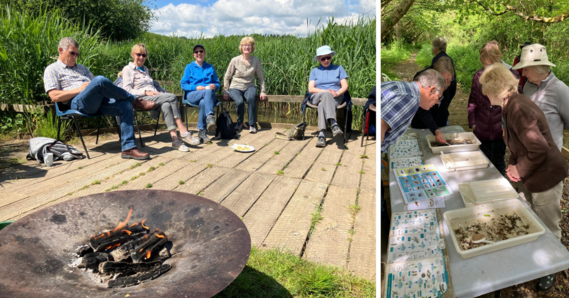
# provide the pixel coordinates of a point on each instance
(468, 216)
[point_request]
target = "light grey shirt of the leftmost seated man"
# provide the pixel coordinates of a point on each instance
(59, 76)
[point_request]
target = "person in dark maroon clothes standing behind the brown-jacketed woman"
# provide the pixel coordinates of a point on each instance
(484, 118)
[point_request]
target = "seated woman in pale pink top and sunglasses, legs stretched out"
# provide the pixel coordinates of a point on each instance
(137, 81)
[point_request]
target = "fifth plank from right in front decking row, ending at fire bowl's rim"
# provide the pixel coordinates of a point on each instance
(243, 198)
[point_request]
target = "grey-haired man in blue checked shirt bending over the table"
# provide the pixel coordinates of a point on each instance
(398, 103)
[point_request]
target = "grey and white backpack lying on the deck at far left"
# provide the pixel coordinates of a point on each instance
(41, 146)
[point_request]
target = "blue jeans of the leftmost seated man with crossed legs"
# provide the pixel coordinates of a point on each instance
(96, 99)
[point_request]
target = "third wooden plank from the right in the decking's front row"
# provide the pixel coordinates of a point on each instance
(292, 228)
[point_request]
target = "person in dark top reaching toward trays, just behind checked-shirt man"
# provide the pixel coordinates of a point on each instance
(437, 116)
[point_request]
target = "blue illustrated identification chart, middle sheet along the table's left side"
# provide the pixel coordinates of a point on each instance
(421, 183)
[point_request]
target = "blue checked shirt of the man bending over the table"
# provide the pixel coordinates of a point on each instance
(398, 103)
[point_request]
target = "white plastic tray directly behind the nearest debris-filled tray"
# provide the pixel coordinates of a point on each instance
(487, 191)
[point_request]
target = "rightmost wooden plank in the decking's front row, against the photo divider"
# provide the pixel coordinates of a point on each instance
(364, 253)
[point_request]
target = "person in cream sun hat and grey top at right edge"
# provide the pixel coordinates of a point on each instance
(549, 93)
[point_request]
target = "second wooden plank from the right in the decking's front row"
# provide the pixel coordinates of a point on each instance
(329, 243)
